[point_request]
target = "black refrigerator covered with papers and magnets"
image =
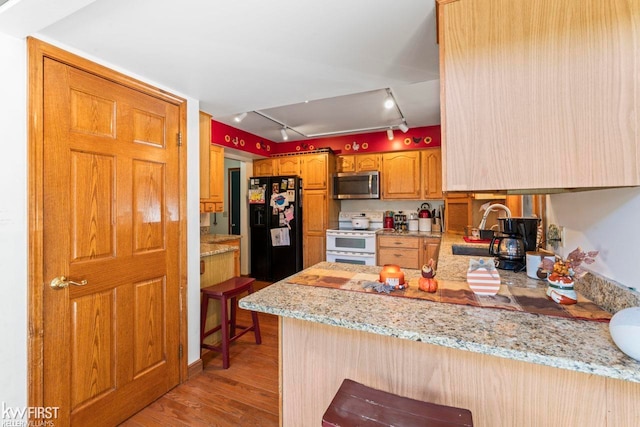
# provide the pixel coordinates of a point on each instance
(275, 226)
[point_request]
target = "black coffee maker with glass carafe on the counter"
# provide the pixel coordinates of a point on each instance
(510, 245)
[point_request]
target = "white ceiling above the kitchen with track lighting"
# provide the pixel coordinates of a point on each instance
(272, 56)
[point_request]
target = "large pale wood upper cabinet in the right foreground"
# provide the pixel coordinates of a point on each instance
(539, 94)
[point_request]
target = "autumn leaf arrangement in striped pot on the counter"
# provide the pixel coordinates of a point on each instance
(562, 273)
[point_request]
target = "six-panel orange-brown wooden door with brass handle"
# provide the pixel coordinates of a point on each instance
(111, 179)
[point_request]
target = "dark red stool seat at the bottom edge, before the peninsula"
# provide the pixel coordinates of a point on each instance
(358, 405)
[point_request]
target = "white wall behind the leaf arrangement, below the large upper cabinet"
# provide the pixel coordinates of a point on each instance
(603, 220)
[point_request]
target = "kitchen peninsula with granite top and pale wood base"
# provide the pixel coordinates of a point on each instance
(508, 368)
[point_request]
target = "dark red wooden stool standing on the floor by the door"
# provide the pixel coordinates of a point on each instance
(223, 291)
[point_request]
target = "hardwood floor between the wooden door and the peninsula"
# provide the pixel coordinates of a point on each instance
(246, 394)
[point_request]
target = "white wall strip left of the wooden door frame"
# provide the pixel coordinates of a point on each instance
(13, 222)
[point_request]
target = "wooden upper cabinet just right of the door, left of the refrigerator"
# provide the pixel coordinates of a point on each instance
(211, 169)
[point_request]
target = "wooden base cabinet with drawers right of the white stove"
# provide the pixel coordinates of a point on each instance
(407, 251)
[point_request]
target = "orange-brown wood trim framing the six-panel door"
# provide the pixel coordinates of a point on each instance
(37, 51)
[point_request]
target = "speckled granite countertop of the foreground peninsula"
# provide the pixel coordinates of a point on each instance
(577, 345)
